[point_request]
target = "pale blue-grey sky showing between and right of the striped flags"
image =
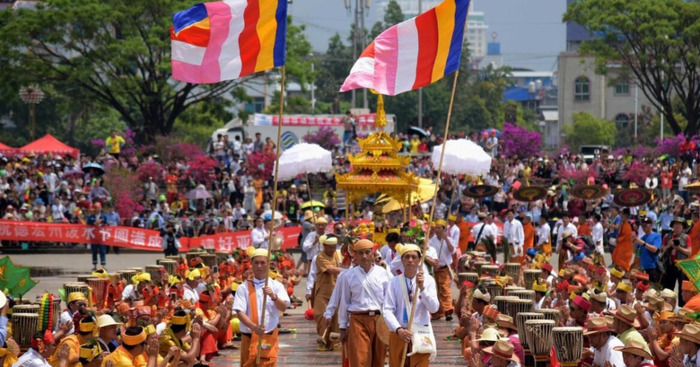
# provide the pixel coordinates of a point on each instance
(531, 32)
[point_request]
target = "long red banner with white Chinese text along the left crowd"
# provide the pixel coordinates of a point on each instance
(130, 237)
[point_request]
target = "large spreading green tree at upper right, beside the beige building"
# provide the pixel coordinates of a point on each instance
(654, 43)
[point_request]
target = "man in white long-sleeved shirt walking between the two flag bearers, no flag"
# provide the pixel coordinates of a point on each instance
(360, 304)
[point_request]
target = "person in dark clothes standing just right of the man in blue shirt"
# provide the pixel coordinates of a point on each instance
(676, 246)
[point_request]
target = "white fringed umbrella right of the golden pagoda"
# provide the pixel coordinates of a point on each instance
(462, 156)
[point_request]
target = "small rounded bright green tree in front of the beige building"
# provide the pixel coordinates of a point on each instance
(586, 129)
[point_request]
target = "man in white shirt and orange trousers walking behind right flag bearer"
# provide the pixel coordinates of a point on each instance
(442, 268)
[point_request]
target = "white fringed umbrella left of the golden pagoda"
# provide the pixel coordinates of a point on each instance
(304, 159)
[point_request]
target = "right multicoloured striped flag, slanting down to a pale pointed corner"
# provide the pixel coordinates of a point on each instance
(413, 53)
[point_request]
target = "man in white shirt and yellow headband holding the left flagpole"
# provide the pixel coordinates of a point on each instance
(248, 305)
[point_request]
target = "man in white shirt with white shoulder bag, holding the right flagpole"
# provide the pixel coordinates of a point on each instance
(398, 302)
